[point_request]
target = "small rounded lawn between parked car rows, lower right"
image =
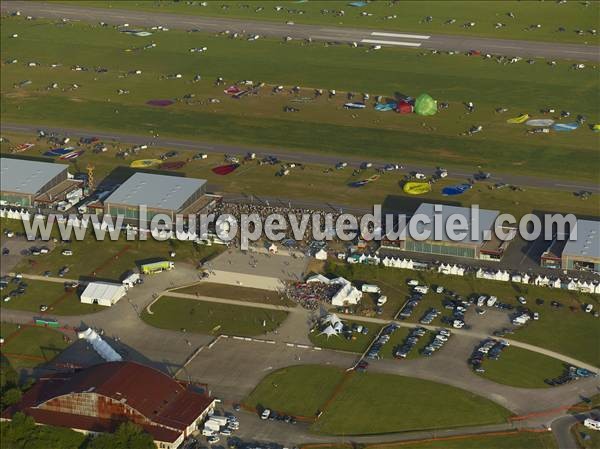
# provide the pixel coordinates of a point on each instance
(522, 368)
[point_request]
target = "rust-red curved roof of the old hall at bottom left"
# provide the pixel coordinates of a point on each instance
(161, 399)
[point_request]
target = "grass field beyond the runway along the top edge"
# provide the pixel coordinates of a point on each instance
(404, 16)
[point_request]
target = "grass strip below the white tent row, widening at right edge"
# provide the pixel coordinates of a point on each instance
(565, 331)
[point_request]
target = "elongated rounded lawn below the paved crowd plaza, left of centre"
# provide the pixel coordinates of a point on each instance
(212, 318)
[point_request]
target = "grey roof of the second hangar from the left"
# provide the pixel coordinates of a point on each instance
(155, 191)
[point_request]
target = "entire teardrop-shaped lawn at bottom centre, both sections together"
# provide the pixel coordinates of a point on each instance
(368, 403)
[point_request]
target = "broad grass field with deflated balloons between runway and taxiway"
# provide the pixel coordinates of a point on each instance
(321, 125)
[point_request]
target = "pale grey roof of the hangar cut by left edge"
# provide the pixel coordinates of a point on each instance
(24, 176)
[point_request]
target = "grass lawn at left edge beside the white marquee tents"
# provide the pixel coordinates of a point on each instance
(51, 294)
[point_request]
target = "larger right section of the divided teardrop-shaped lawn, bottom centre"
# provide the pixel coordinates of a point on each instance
(381, 403)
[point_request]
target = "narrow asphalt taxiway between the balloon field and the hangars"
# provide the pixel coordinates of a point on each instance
(289, 156)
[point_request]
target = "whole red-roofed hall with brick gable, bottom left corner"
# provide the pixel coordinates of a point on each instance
(99, 398)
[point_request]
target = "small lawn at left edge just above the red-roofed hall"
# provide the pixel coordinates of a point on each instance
(31, 345)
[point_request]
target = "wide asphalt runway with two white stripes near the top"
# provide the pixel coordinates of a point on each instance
(331, 34)
